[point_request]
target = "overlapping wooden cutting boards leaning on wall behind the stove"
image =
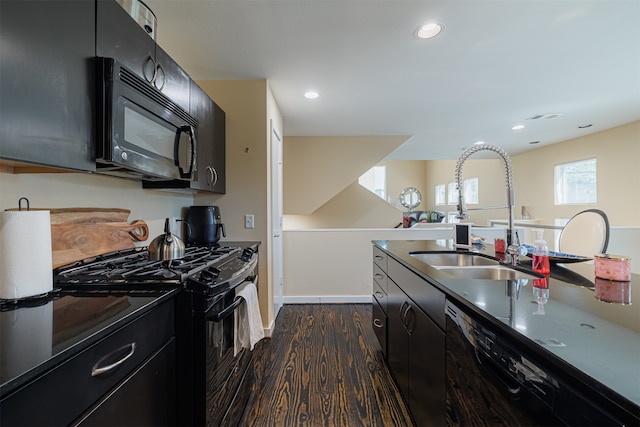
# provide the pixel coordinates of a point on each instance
(80, 233)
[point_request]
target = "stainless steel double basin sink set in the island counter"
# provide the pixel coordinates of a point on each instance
(470, 266)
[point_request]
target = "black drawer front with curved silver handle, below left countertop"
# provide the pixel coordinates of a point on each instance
(65, 392)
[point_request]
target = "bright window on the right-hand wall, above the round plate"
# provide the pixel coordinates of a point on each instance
(575, 183)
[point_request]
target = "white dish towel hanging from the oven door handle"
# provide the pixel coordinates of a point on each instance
(248, 322)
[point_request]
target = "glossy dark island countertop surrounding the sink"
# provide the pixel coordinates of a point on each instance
(569, 325)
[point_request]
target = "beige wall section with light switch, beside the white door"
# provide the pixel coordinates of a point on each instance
(249, 107)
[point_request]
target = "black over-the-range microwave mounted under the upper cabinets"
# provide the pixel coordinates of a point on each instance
(141, 133)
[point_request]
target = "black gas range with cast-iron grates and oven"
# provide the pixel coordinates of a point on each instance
(213, 377)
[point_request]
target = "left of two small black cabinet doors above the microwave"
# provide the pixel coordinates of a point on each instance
(120, 37)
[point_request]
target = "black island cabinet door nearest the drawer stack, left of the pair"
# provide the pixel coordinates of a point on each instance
(397, 337)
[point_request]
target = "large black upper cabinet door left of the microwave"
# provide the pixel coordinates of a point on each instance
(47, 84)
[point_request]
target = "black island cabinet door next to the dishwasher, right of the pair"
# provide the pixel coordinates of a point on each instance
(427, 379)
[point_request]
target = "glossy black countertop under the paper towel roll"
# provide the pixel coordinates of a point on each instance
(38, 335)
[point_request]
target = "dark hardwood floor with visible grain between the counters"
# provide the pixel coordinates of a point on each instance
(323, 367)
